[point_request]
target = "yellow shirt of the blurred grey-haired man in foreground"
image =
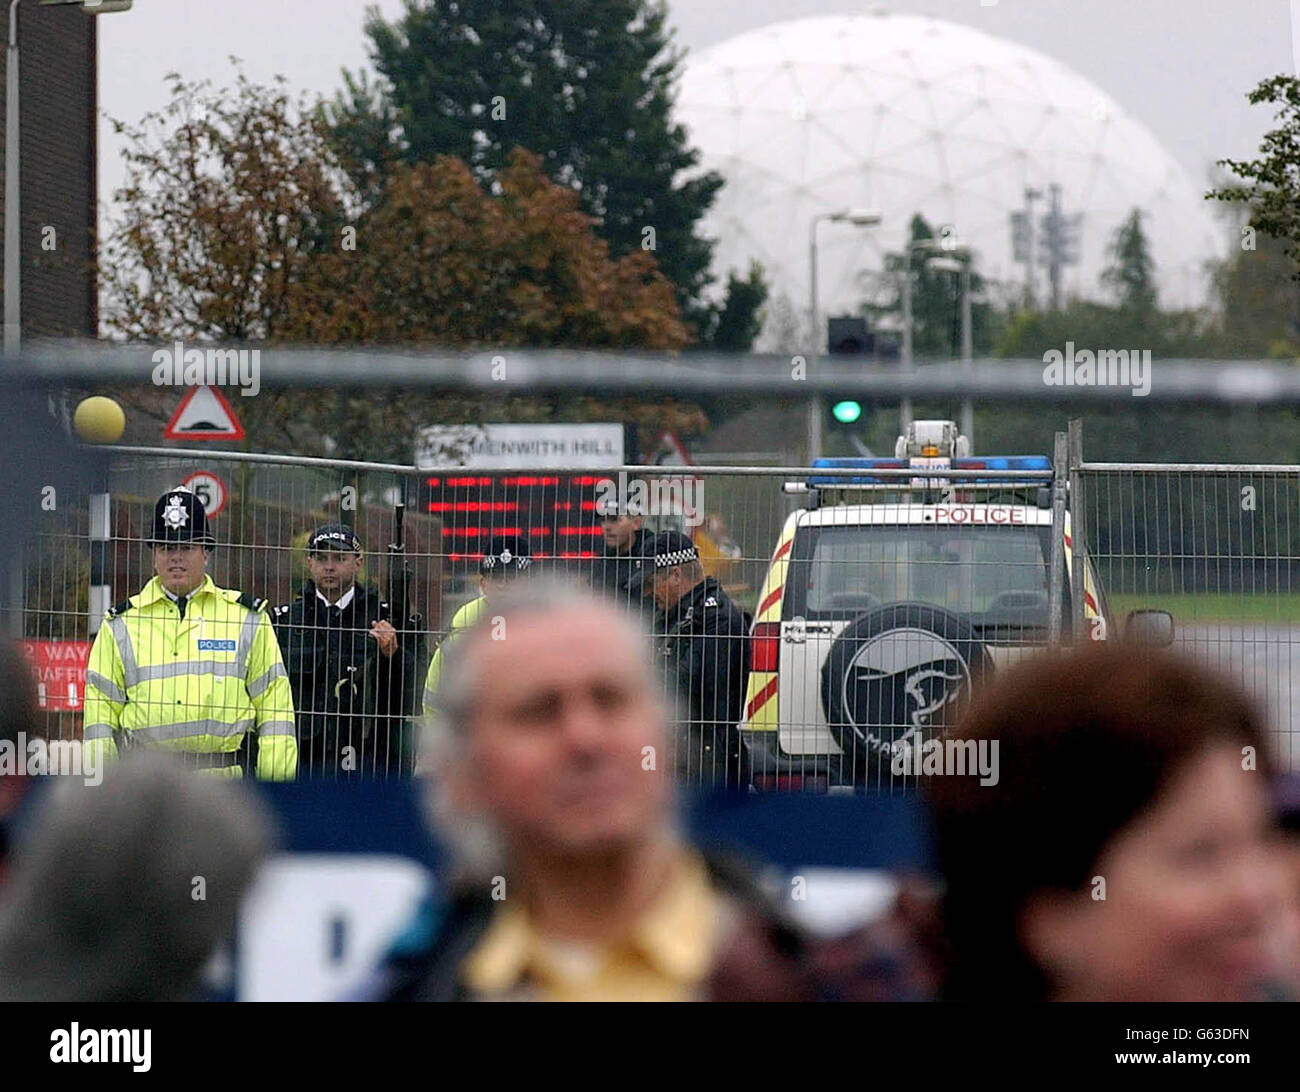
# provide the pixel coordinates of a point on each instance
(666, 956)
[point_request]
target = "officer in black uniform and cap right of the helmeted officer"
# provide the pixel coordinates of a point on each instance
(354, 679)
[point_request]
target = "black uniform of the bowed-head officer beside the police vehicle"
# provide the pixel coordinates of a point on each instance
(704, 642)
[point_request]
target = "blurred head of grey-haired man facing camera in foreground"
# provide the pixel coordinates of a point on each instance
(551, 740)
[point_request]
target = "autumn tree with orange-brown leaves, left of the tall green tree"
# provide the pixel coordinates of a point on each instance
(237, 224)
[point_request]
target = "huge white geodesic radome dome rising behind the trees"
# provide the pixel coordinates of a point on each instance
(904, 115)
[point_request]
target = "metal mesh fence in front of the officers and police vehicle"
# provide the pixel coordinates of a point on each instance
(831, 630)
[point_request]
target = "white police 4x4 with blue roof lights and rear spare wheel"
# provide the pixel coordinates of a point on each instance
(892, 593)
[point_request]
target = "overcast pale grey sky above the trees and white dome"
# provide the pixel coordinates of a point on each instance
(1180, 67)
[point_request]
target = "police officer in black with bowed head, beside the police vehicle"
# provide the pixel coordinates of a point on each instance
(703, 639)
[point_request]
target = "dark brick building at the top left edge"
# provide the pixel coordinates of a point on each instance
(58, 107)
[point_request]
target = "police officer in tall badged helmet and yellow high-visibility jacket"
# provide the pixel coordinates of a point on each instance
(188, 666)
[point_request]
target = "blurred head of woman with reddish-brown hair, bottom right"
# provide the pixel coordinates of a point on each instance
(1128, 852)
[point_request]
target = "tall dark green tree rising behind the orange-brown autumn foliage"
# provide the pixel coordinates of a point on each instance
(587, 85)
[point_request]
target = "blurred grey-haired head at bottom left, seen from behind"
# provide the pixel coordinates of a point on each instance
(127, 889)
